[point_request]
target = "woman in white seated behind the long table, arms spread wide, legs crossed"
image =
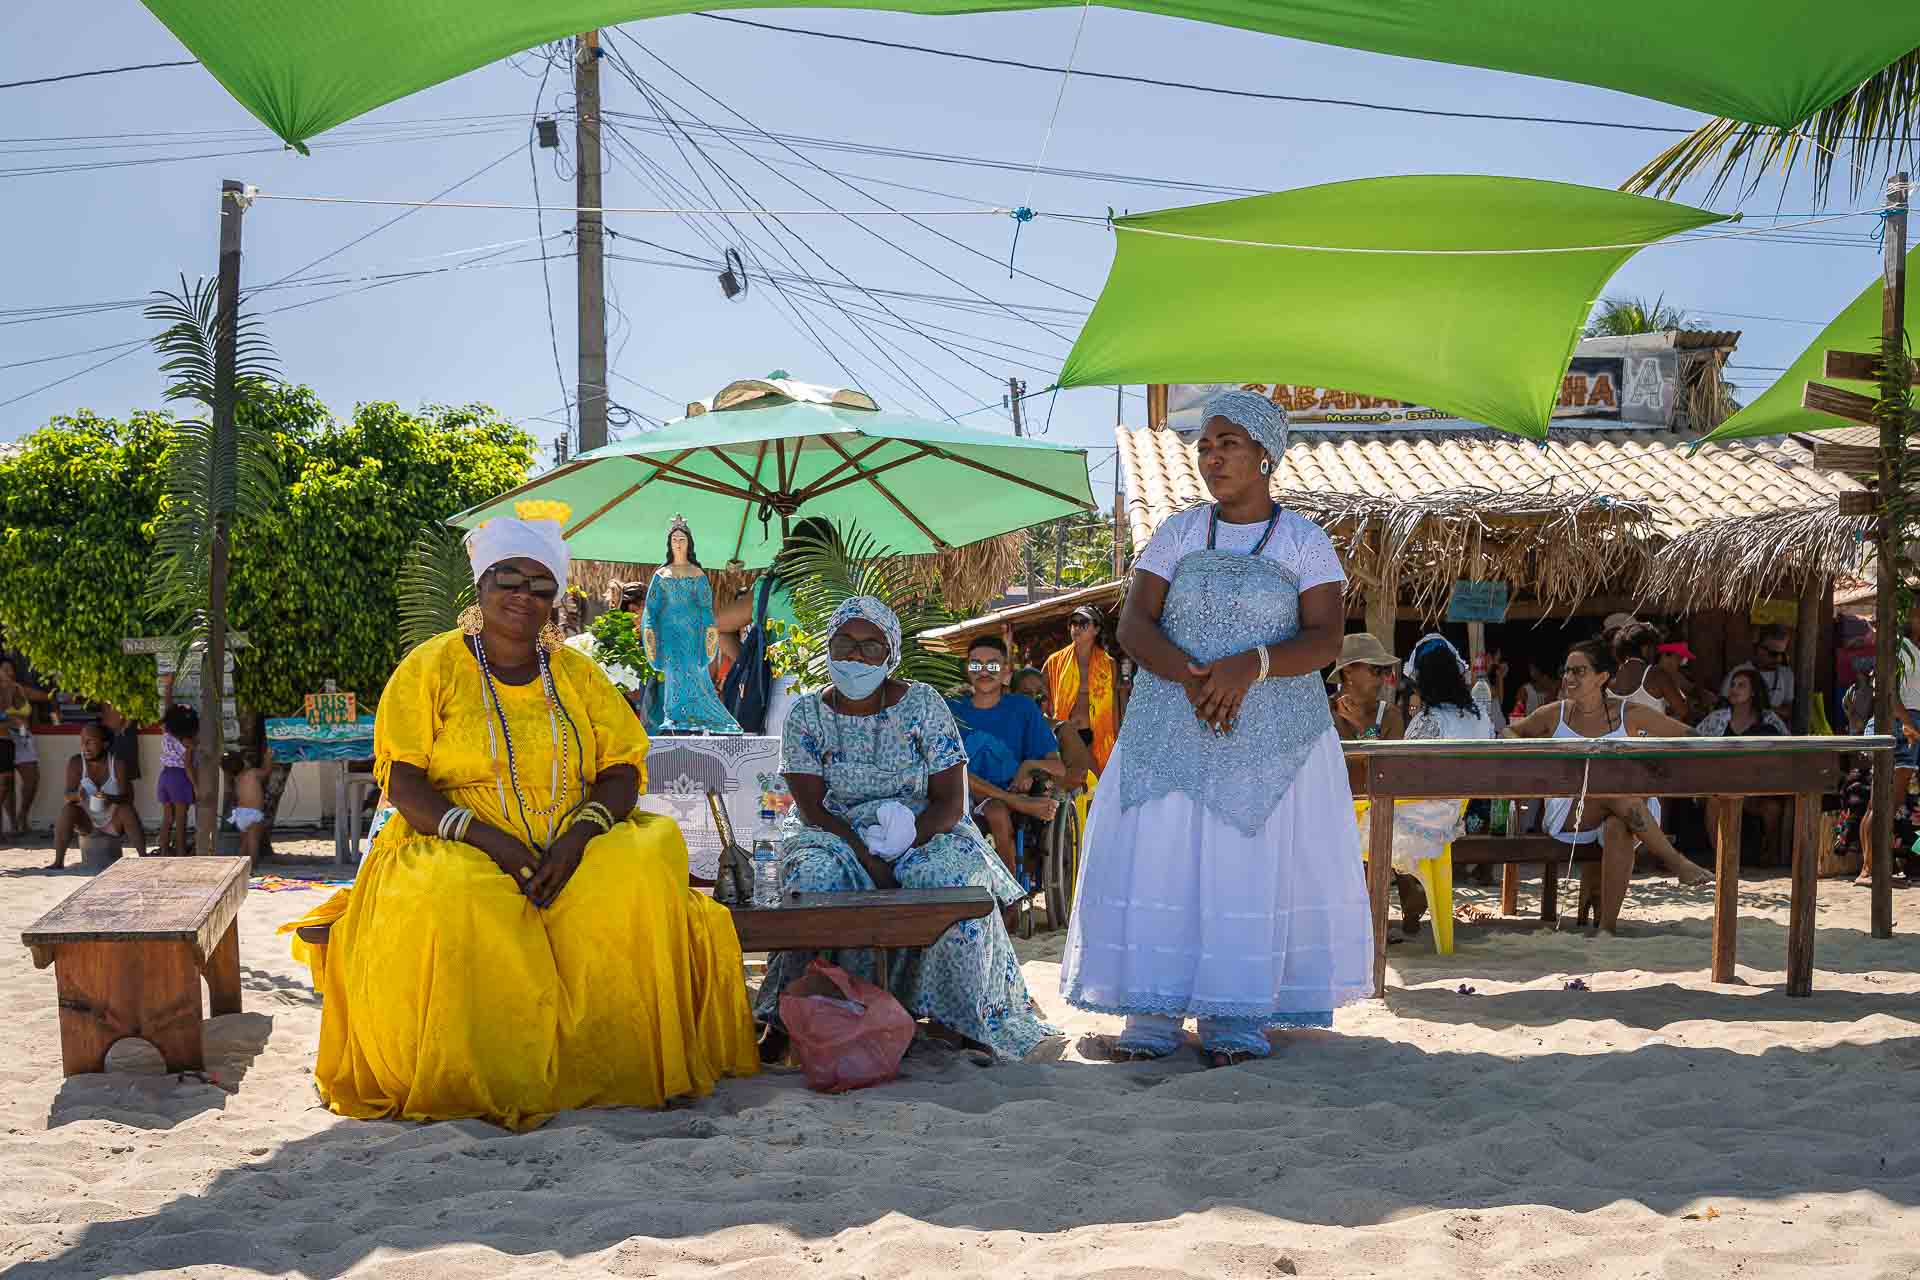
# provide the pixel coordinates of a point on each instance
(1589, 709)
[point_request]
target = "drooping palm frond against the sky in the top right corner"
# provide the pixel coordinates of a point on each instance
(1871, 130)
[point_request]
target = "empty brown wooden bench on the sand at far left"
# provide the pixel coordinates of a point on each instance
(130, 951)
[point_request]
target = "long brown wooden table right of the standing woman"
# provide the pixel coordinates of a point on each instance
(1725, 769)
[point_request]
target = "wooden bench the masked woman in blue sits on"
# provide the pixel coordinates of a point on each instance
(882, 920)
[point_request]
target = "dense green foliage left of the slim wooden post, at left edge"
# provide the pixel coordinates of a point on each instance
(78, 508)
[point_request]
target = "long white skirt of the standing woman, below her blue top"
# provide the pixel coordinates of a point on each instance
(1182, 914)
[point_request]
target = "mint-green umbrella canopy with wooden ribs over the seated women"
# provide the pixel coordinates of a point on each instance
(913, 485)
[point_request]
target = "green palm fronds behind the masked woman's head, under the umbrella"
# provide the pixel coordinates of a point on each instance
(825, 573)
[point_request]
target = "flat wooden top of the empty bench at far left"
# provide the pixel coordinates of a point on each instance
(151, 901)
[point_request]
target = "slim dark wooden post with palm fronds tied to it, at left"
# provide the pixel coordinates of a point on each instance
(214, 663)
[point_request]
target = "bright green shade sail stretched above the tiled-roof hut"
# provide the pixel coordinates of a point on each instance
(1435, 306)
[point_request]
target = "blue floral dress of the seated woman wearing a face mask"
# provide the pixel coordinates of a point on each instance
(971, 980)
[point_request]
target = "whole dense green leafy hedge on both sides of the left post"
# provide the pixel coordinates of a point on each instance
(316, 579)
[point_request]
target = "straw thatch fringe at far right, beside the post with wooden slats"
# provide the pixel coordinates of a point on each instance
(1739, 561)
